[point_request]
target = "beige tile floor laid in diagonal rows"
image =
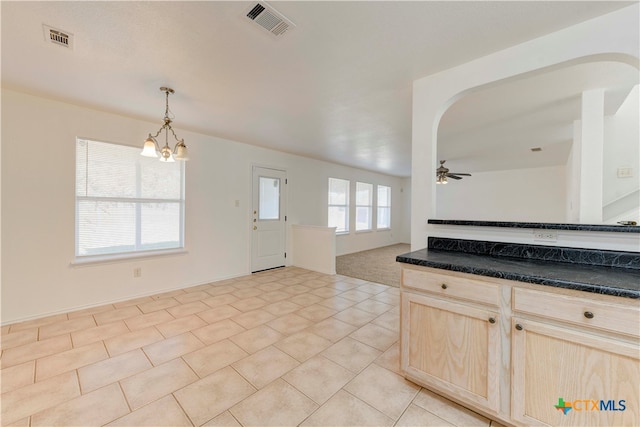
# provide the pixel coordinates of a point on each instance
(282, 347)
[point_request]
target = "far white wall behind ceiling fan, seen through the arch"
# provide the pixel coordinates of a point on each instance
(523, 195)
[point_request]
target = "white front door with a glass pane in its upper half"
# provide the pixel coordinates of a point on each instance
(269, 219)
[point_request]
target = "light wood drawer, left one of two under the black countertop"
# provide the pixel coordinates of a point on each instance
(451, 286)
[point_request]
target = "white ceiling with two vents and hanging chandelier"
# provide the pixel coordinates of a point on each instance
(337, 87)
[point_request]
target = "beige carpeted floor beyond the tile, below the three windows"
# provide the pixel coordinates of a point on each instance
(375, 265)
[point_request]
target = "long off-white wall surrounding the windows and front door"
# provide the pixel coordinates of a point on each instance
(38, 208)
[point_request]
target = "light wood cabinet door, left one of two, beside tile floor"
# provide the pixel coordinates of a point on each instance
(451, 347)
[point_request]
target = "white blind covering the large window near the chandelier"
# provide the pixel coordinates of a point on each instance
(126, 203)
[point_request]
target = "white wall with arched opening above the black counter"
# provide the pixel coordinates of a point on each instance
(614, 37)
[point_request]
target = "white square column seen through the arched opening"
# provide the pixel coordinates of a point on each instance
(591, 155)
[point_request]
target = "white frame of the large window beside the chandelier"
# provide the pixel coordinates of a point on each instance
(139, 249)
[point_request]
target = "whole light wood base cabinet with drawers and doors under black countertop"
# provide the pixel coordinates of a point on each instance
(511, 350)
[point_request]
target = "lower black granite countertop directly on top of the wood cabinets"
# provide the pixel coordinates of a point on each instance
(615, 281)
